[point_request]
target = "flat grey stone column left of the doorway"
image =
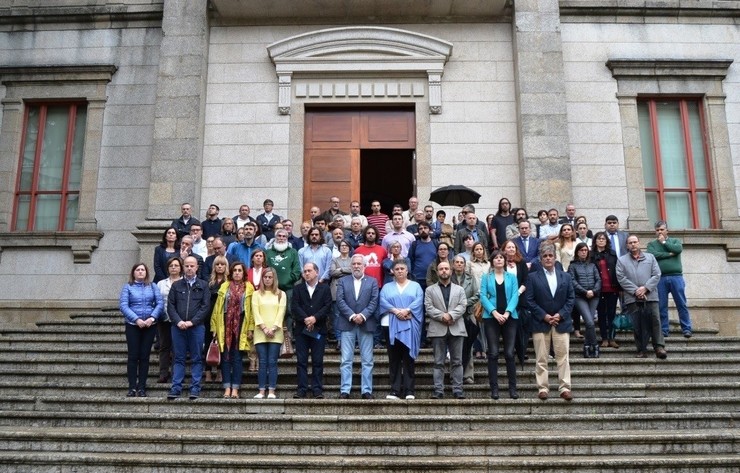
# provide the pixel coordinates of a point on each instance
(177, 154)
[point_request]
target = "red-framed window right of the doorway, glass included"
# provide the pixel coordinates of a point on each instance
(675, 161)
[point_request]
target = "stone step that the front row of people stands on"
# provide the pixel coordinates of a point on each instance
(356, 406)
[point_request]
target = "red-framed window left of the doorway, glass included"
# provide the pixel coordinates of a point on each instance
(50, 167)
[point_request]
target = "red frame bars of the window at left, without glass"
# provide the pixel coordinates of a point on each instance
(34, 192)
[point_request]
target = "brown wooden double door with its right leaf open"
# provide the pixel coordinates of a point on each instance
(358, 155)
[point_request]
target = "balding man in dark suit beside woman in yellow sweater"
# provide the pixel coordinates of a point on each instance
(310, 307)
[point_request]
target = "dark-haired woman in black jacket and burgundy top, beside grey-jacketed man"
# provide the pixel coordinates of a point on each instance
(605, 259)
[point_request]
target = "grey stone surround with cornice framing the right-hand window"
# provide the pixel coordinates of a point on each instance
(678, 77)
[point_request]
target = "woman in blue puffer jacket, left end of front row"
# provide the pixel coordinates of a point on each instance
(142, 306)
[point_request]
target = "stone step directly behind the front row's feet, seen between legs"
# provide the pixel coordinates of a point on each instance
(117, 387)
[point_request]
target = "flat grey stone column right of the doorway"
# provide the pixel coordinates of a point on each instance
(543, 123)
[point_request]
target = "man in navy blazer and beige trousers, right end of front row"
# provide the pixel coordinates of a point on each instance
(550, 297)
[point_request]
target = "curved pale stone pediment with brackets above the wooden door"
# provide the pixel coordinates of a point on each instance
(372, 51)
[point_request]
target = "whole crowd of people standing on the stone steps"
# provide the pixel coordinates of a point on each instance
(400, 282)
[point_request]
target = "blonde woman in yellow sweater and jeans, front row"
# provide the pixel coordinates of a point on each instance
(268, 309)
